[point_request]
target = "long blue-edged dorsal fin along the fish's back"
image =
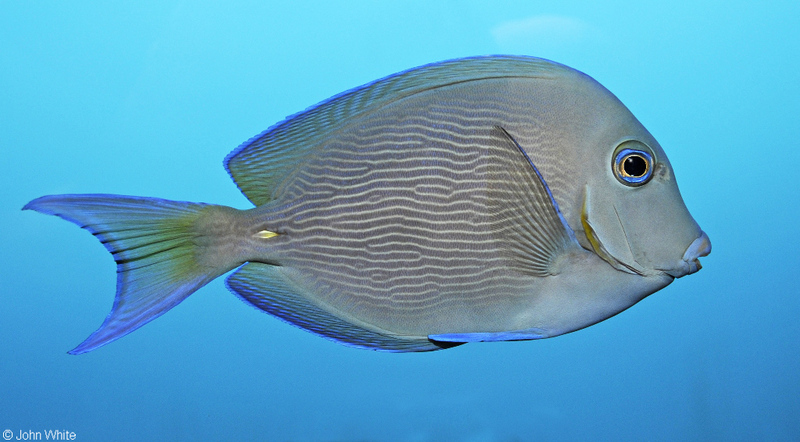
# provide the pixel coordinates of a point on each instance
(260, 164)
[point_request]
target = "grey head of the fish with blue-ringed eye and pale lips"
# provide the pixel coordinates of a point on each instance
(632, 214)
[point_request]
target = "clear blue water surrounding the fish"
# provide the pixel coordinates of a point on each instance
(146, 98)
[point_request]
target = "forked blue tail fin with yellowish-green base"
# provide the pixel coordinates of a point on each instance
(159, 246)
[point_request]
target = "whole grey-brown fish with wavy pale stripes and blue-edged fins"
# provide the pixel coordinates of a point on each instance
(481, 199)
